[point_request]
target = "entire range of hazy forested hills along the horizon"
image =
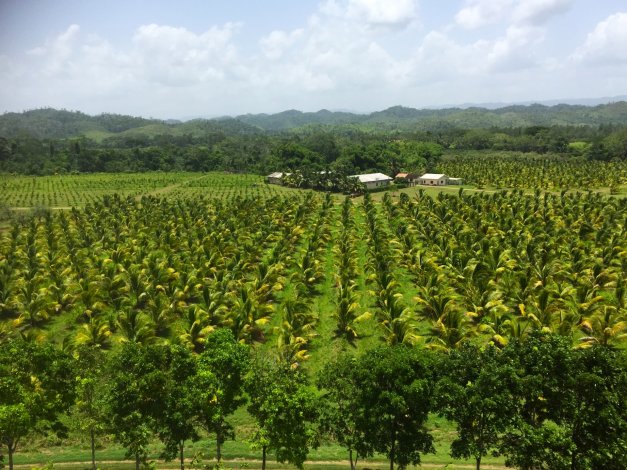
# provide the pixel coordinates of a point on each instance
(58, 124)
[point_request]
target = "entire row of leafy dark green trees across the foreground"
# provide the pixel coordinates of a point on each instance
(538, 402)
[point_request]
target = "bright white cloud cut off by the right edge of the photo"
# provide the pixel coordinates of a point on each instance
(607, 44)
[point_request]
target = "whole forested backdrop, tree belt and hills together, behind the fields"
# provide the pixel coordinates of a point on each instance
(49, 141)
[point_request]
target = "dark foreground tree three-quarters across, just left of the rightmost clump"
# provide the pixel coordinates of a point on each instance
(474, 393)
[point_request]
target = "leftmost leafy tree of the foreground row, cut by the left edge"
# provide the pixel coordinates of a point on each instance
(36, 386)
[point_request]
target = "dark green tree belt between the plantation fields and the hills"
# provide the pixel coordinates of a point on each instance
(339, 148)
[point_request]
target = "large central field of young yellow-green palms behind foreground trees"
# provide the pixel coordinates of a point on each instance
(439, 270)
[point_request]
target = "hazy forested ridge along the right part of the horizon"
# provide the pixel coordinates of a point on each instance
(438, 119)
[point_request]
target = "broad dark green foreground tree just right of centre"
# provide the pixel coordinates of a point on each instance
(395, 396)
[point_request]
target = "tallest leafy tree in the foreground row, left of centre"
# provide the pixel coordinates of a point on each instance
(218, 385)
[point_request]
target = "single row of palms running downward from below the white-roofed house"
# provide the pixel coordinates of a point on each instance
(397, 320)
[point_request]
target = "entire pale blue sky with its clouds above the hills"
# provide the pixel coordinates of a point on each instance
(184, 59)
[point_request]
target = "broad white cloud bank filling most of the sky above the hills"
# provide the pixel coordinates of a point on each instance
(356, 54)
